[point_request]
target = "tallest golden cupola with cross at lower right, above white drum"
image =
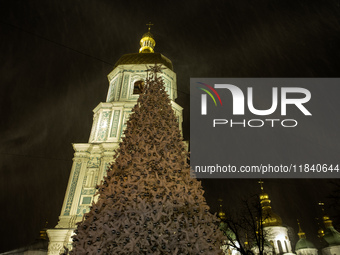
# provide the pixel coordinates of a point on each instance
(269, 218)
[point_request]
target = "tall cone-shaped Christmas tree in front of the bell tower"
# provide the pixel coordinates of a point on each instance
(148, 203)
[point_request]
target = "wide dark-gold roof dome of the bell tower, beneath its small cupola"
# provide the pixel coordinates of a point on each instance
(144, 58)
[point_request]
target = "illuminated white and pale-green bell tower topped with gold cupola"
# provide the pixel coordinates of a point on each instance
(91, 160)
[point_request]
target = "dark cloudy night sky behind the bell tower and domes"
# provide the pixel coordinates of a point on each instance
(55, 56)
